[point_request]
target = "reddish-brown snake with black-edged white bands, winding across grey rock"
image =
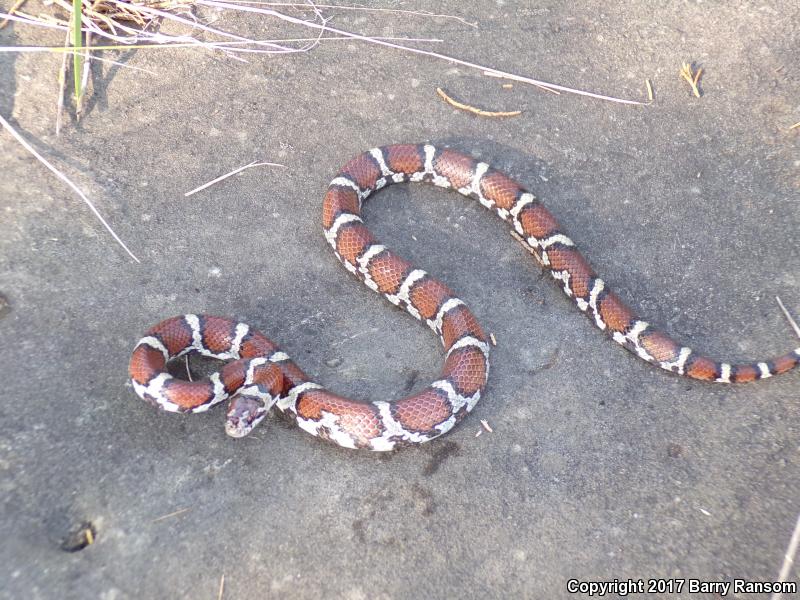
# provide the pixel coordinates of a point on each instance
(259, 375)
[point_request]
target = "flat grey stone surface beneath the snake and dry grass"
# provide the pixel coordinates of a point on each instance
(599, 467)
